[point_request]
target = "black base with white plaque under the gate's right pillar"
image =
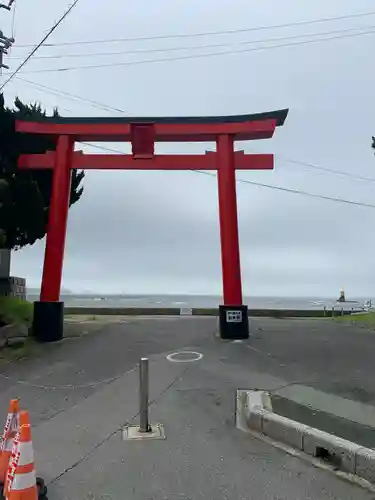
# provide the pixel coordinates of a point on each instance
(233, 322)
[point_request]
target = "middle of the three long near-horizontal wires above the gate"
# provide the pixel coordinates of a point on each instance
(198, 47)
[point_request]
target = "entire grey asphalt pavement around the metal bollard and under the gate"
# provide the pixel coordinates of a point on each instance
(77, 431)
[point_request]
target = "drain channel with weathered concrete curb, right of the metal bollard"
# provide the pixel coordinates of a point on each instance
(341, 444)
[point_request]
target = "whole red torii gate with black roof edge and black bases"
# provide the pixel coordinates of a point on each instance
(143, 133)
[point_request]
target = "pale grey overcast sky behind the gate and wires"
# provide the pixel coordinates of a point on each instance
(158, 232)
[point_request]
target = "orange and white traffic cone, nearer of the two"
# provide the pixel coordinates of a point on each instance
(21, 478)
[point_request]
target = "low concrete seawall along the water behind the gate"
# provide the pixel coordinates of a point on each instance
(174, 311)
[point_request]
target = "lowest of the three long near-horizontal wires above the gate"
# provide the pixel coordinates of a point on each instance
(196, 56)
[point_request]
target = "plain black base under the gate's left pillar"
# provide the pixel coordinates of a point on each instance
(48, 322)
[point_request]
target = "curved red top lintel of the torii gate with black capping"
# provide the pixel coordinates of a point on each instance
(164, 129)
